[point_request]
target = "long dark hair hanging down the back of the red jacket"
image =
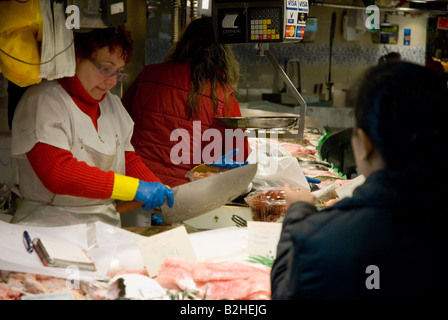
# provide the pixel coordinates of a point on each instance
(211, 62)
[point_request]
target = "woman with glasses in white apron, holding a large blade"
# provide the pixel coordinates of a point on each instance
(71, 138)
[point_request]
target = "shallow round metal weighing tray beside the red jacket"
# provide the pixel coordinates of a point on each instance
(265, 122)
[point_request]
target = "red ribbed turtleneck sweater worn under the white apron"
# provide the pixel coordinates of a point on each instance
(61, 173)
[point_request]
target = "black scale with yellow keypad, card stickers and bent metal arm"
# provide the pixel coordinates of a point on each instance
(261, 23)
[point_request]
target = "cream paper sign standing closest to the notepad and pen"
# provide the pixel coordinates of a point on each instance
(174, 243)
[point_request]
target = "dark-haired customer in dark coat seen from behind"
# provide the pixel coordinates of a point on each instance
(390, 239)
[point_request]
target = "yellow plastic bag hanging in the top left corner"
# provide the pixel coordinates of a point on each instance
(20, 34)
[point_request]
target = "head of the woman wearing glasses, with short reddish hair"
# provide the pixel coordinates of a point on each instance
(101, 56)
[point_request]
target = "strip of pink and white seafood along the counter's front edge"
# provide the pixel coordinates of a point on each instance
(178, 279)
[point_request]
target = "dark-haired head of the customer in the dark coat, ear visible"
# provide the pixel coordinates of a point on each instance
(401, 119)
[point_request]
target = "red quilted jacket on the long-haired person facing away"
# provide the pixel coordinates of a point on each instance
(157, 102)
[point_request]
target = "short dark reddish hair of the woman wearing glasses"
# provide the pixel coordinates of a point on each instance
(87, 43)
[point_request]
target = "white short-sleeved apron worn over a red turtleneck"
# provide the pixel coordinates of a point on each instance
(47, 114)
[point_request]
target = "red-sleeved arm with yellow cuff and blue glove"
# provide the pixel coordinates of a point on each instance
(61, 173)
